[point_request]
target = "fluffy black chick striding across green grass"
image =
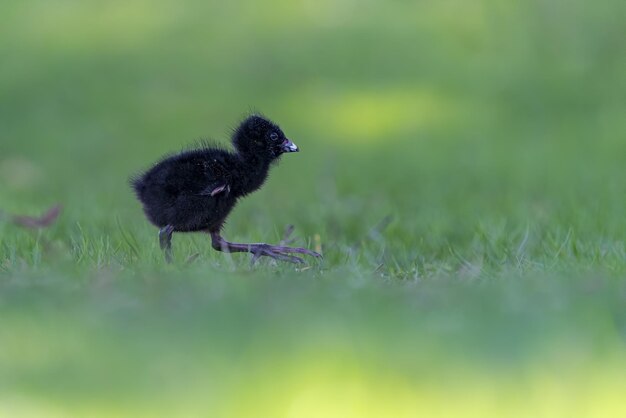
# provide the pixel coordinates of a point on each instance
(196, 190)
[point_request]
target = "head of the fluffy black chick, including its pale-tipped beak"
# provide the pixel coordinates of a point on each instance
(261, 137)
